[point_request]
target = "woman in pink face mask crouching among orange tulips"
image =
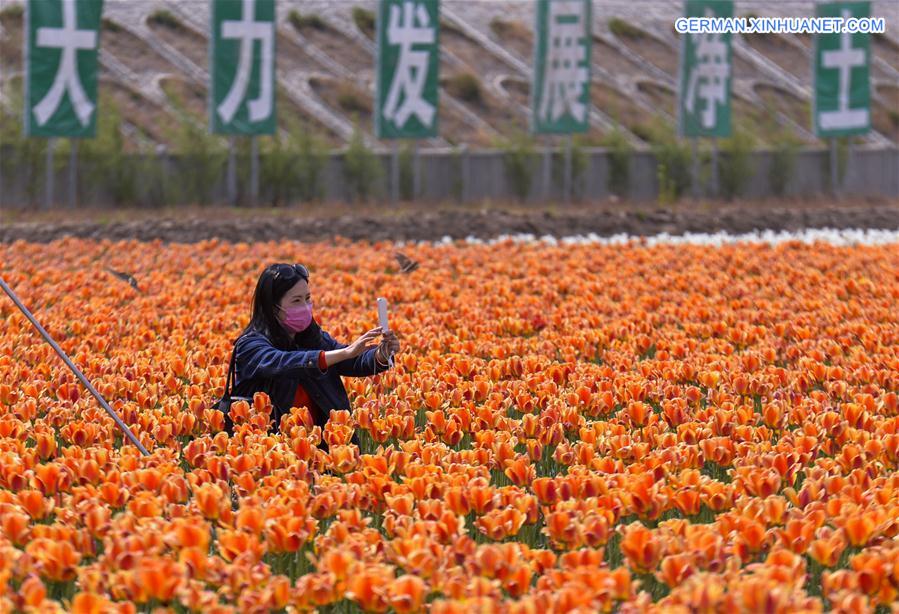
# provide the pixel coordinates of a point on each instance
(285, 353)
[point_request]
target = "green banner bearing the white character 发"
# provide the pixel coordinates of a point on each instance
(408, 60)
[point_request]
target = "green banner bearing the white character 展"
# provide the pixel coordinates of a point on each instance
(560, 91)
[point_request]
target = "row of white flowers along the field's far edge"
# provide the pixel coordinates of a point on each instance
(834, 236)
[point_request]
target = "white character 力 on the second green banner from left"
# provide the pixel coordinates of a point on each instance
(248, 30)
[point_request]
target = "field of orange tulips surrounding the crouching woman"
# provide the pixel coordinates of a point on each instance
(568, 428)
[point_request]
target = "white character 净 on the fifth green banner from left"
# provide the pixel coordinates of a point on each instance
(712, 69)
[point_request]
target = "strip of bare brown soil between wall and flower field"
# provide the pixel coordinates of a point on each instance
(244, 226)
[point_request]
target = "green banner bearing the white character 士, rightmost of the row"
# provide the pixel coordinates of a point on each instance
(842, 104)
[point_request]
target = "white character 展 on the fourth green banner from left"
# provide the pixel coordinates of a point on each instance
(565, 69)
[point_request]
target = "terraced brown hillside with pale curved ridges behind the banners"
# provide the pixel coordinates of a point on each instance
(154, 70)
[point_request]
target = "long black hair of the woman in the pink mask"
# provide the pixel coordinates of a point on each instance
(273, 284)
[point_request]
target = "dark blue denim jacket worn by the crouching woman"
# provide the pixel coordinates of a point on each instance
(261, 367)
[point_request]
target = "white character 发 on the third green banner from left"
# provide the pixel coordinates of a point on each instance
(409, 26)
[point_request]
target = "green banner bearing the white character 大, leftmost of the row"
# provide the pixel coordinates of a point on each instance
(62, 40)
